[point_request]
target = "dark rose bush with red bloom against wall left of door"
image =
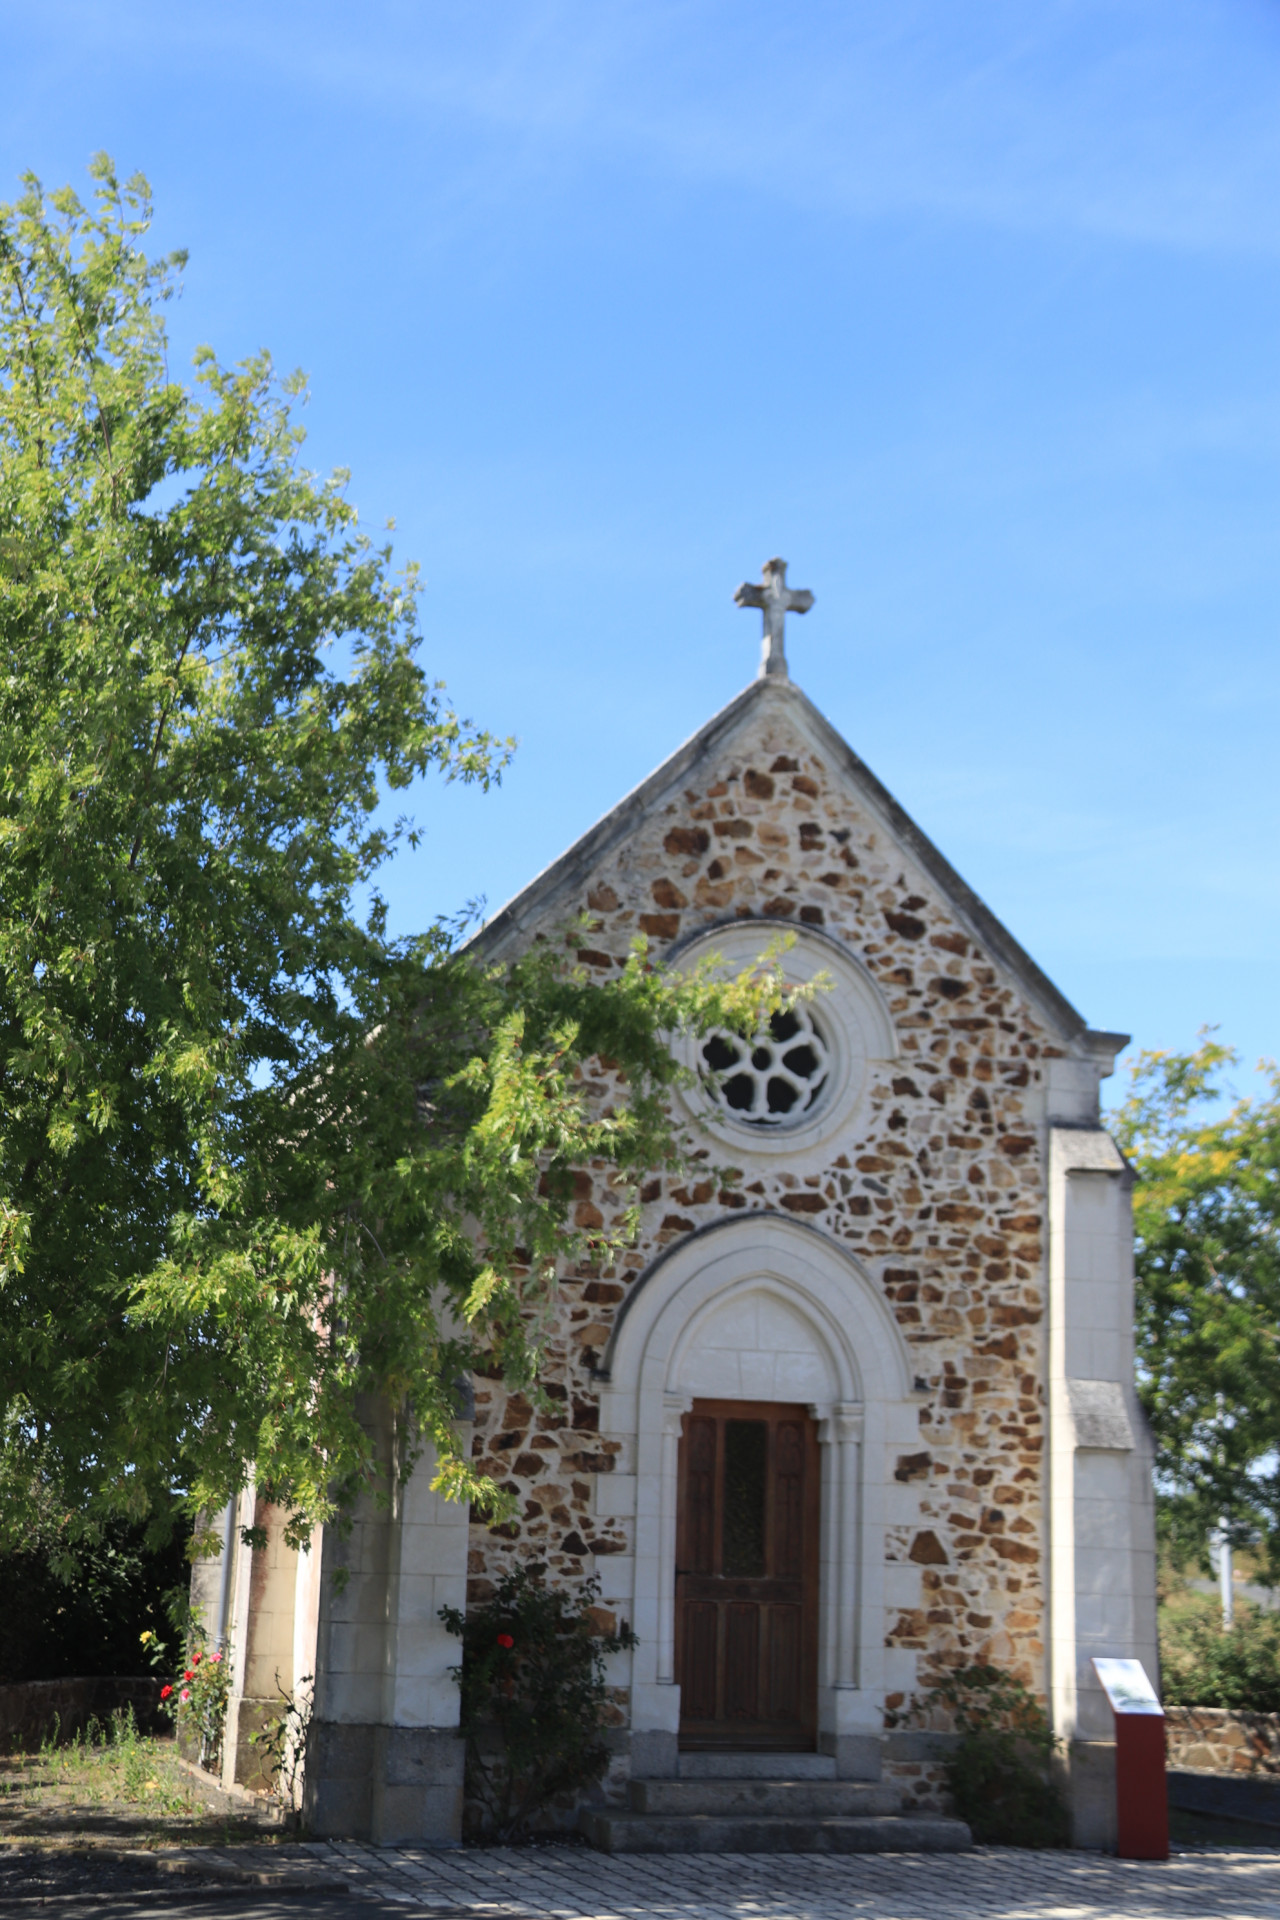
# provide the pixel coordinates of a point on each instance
(534, 1698)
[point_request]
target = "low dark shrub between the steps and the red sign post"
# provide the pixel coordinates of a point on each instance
(1003, 1769)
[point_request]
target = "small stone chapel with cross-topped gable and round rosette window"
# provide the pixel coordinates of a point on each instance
(855, 1416)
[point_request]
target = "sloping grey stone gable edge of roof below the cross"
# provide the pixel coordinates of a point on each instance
(521, 917)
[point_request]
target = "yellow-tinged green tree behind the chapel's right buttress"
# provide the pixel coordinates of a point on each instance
(1208, 1255)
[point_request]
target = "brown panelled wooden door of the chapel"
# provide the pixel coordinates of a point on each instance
(747, 1575)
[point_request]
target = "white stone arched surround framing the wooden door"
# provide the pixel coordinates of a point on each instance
(866, 1414)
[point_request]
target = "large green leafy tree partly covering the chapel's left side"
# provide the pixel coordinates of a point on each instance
(260, 1164)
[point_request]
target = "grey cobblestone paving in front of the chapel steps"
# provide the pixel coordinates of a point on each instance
(987, 1884)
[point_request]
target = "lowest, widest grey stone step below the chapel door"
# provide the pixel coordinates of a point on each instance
(646, 1833)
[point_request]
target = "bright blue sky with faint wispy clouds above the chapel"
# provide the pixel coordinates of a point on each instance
(970, 312)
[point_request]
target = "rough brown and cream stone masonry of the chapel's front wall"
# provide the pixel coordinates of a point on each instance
(939, 1195)
